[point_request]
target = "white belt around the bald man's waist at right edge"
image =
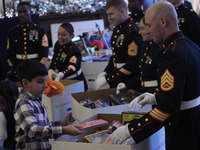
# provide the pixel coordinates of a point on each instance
(190, 104)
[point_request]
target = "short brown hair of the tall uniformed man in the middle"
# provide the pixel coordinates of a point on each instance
(119, 4)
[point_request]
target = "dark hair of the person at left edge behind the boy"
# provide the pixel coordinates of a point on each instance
(9, 92)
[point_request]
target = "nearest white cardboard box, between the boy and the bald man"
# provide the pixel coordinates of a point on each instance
(154, 142)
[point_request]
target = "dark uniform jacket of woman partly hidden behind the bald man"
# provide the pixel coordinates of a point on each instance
(147, 80)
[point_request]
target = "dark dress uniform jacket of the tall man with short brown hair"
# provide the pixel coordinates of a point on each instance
(127, 48)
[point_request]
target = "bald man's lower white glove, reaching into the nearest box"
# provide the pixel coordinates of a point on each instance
(120, 135)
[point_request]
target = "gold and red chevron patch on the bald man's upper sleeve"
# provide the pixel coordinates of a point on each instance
(167, 81)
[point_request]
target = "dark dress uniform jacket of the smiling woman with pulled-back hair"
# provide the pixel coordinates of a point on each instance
(66, 56)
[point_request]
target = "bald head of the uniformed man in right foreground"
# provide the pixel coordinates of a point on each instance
(161, 18)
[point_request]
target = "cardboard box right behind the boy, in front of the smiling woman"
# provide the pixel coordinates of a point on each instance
(58, 106)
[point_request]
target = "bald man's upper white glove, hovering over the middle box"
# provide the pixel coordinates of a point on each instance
(143, 99)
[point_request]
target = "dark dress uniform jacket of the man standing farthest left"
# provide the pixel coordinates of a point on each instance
(27, 41)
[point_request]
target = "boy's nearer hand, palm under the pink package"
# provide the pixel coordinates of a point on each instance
(72, 130)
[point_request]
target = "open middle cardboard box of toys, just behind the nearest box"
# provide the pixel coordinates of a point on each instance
(82, 113)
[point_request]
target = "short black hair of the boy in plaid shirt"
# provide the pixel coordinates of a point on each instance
(30, 69)
